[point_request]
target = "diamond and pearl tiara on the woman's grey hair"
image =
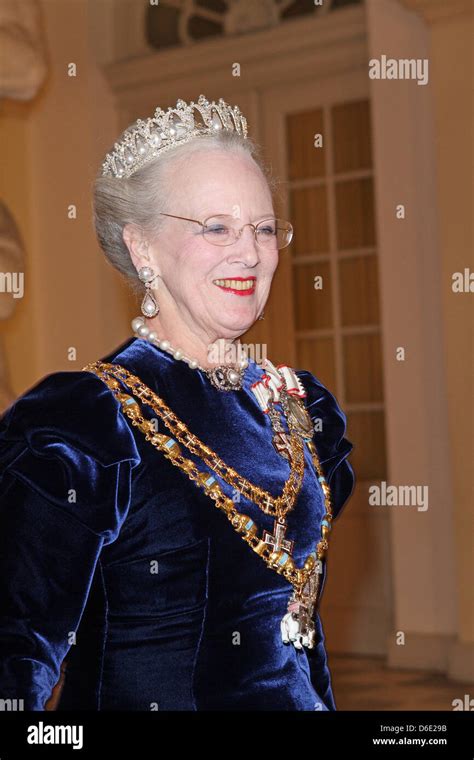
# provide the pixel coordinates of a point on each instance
(145, 140)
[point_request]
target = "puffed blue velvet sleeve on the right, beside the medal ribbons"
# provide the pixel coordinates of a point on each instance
(330, 441)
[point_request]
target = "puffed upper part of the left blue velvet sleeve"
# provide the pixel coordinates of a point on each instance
(67, 439)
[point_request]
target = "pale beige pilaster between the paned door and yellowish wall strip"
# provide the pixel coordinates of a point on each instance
(410, 276)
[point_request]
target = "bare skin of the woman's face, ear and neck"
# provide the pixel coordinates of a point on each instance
(187, 255)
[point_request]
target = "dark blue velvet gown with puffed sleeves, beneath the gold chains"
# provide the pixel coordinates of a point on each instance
(113, 559)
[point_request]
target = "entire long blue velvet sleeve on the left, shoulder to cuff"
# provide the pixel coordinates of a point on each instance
(66, 460)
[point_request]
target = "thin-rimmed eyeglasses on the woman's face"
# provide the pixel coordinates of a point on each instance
(221, 229)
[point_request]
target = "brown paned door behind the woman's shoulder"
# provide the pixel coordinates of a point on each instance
(325, 317)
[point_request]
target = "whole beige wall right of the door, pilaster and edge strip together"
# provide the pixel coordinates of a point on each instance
(423, 147)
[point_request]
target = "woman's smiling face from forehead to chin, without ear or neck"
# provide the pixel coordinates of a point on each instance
(208, 183)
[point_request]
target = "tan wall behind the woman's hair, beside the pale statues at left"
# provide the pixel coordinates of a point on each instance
(72, 298)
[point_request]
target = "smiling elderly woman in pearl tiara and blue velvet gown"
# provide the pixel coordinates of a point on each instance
(165, 511)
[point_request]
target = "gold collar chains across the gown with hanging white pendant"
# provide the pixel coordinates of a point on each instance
(297, 625)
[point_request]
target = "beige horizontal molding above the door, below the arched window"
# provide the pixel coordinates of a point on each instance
(326, 45)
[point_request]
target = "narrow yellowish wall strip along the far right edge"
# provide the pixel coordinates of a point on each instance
(452, 61)
